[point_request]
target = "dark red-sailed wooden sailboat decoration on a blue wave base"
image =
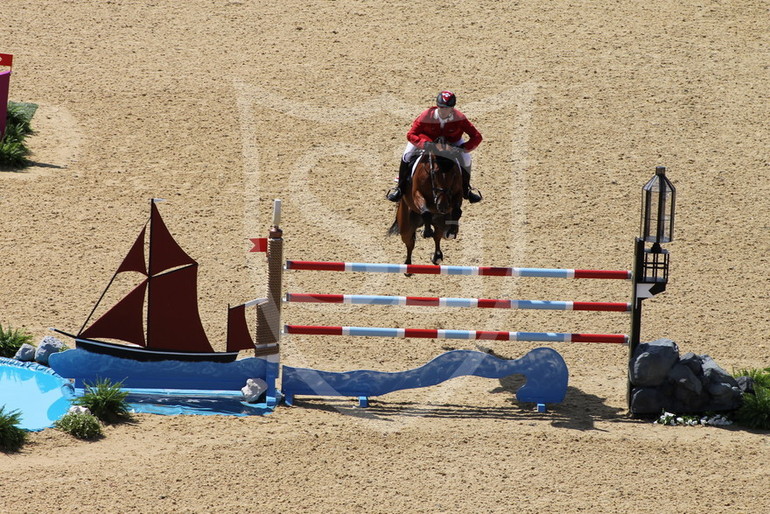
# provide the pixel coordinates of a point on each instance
(159, 317)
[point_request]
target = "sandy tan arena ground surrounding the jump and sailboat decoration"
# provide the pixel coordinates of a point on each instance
(219, 107)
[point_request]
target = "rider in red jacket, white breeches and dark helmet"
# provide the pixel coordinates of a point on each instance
(441, 121)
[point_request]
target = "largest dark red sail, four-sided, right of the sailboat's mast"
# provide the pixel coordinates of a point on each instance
(173, 321)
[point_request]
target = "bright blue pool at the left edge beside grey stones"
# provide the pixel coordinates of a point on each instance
(39, 394)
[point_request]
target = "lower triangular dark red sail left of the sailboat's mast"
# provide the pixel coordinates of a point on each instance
(124, 321)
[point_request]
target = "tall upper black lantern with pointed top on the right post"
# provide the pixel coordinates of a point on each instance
(658, 199)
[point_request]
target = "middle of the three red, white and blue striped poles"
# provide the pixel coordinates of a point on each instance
(457, 302)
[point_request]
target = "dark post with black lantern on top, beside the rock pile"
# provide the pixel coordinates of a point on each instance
(651, 264)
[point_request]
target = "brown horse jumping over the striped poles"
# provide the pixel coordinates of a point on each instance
(432, 200)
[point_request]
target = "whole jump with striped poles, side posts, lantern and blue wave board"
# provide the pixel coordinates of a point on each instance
(544, 368)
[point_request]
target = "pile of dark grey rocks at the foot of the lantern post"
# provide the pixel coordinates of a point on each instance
(661, 380)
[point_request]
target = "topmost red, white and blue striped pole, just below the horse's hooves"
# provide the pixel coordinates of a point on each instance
(427, 269)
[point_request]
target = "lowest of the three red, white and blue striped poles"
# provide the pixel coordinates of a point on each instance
(427, 333)
